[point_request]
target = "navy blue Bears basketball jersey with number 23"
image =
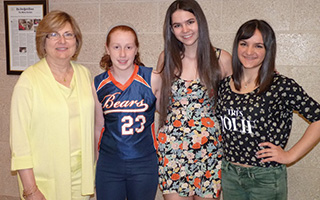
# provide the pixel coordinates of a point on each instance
(128, 113)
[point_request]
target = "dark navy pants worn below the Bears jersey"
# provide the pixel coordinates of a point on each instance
(134, 179)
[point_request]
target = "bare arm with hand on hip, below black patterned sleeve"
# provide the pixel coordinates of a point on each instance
(275, 153)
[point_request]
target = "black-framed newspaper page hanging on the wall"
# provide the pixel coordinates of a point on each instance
(21, 22)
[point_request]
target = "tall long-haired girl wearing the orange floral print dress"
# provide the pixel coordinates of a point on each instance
(189, 140)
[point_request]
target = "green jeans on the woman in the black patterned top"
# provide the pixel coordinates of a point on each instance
(253, 183)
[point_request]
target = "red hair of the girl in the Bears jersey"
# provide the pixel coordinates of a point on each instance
(105, 62)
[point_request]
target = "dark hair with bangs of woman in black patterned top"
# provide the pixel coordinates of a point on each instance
(266, 71)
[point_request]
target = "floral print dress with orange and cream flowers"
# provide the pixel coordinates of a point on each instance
(190, 149)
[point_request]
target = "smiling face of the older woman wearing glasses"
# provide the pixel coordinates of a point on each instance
(61, 49)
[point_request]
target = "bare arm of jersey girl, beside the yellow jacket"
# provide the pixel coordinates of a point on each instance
(98, 121)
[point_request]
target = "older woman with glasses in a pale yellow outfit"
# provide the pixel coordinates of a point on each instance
(52, 115)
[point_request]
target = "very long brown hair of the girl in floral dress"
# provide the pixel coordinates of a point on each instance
(207, 62)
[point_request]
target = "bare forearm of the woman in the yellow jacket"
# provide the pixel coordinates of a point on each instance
(29, 185)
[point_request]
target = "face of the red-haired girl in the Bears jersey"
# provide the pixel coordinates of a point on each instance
(122, 50)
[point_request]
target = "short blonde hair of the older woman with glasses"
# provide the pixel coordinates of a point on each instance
(54, 21)
